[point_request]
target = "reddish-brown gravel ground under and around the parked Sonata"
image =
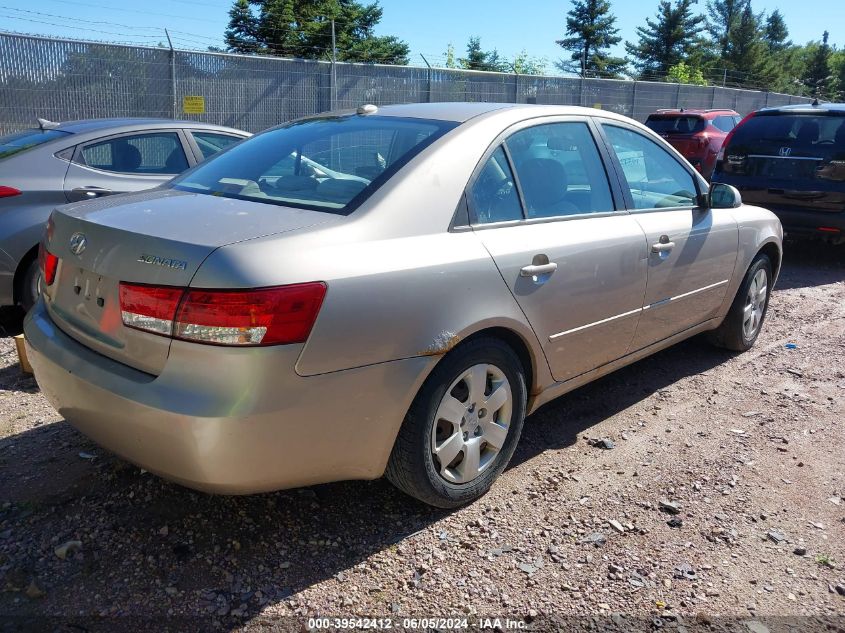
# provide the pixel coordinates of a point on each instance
(723, 496)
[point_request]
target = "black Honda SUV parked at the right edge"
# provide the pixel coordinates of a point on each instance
(791, 160)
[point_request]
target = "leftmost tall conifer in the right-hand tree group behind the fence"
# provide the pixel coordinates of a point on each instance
(591, 31)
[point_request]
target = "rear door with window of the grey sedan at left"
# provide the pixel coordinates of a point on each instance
(125, 162)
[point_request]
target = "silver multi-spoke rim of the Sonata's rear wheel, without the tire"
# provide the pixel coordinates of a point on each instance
(471, 423)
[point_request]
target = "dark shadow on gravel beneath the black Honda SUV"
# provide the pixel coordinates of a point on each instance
(809, 263)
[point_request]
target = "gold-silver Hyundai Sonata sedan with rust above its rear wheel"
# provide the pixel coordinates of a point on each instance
(262, 323)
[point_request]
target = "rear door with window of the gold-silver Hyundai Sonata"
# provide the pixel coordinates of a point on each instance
(542, 205)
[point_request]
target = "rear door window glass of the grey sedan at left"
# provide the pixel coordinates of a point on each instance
(143, 154)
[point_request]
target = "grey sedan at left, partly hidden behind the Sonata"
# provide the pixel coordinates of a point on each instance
(56, 163)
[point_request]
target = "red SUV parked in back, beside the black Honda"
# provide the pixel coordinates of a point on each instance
(697, 134)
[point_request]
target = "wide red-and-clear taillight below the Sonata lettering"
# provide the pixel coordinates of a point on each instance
(265, 316)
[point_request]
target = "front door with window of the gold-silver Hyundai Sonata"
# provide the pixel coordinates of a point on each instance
(691, 250)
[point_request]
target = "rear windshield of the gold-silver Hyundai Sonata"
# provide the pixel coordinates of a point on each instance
(328, 164)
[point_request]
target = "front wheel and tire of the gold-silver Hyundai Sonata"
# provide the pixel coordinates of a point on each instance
(744, 320)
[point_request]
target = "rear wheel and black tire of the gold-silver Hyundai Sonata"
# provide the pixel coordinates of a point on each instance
(463, 426)
